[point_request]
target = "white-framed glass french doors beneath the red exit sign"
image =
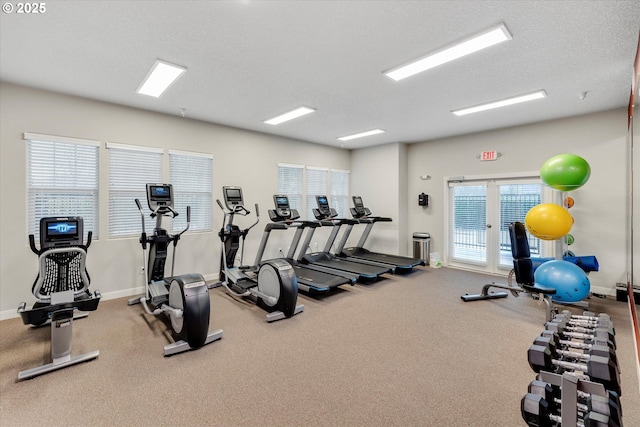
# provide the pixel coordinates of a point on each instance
(479, 215)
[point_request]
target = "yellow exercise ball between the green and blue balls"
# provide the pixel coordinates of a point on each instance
(548, 221)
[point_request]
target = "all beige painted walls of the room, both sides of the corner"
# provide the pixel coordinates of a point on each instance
(387, 177)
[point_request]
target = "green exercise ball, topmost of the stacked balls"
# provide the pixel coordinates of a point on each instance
(565, 172)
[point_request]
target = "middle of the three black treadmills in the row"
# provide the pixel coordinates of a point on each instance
(366, 272)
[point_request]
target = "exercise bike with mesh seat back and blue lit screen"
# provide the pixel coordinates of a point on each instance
(61, 289)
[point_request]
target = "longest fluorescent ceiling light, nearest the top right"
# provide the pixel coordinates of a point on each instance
(468, 46)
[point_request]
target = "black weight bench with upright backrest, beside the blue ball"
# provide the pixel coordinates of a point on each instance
(523, 270)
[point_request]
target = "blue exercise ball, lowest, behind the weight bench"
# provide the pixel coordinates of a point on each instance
(570, 281)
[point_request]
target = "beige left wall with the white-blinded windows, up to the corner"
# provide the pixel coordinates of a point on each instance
(243, 158)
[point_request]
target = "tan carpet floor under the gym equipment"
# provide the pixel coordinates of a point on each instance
(404, 351)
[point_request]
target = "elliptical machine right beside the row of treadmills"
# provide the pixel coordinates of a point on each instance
(271, 284)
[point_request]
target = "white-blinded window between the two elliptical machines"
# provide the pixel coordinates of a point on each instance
(191, 175)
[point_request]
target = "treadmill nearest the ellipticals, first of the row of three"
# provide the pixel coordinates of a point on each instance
(311, 279)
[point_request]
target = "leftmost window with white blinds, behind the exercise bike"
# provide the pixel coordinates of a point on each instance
(62, 180)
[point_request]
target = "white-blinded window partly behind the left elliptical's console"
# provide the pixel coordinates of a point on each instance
(130, 169)
